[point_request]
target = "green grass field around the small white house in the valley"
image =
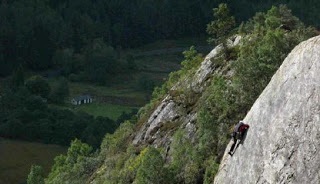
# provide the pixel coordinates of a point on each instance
(107, 101)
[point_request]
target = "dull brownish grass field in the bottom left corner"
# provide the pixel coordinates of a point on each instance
(17, 157)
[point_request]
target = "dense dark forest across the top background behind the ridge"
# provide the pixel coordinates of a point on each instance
(72, 34)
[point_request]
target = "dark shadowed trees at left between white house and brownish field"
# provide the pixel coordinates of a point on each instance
(47, 124)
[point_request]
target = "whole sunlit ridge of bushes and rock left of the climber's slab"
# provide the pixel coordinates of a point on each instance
(181, 135)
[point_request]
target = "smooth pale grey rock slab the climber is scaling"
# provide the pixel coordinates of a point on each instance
(283, 142)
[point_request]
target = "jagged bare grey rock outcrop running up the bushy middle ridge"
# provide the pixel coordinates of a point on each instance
(174, 114)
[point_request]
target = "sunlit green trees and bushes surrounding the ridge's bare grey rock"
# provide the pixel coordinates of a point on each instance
(267, 39)
